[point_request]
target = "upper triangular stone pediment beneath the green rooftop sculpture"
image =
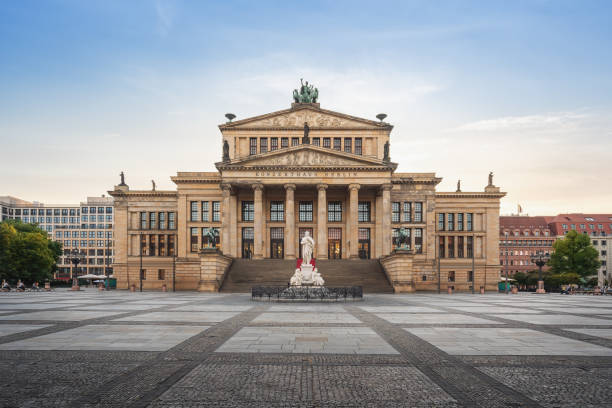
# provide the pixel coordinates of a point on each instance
(305, 113)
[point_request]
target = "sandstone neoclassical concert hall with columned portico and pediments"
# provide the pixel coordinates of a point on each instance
(306, 169)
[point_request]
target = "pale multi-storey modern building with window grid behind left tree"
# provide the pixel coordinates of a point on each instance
(86, 227)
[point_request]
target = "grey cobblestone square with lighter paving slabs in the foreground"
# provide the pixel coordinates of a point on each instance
(119, 349)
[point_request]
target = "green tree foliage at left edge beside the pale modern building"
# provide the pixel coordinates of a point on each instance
(26, 252)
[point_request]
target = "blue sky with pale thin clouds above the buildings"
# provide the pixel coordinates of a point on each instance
(522, 89)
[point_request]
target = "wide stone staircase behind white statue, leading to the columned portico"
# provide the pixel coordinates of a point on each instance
(244, 274)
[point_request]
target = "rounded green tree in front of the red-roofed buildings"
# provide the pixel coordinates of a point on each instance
(574, 254)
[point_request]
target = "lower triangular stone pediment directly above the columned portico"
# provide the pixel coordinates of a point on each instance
(306, 156)
